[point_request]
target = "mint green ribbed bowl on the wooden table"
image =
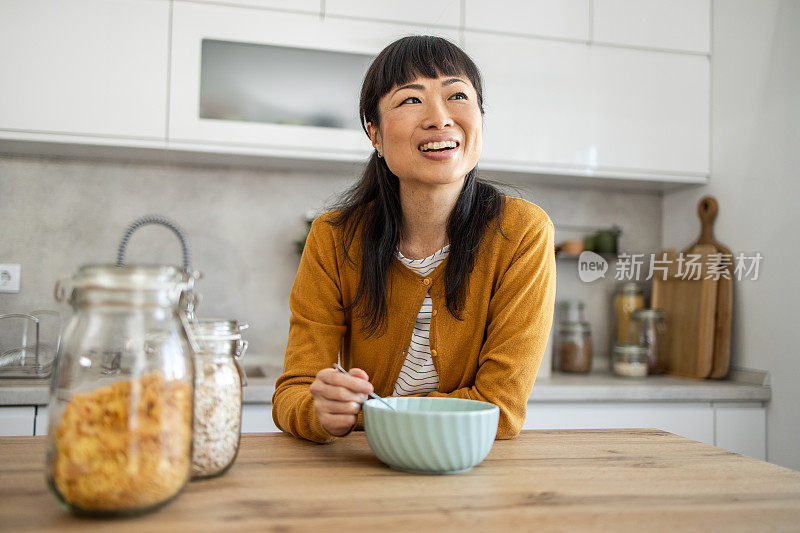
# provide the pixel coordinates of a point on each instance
(431, 435)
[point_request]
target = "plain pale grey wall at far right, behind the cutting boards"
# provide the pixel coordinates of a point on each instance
(755, 161)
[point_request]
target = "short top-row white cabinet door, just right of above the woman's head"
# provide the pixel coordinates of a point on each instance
(565, 19)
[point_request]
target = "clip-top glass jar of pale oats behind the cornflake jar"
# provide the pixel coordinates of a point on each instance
(217, 395)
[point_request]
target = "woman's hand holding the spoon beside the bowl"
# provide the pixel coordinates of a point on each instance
(338, 398)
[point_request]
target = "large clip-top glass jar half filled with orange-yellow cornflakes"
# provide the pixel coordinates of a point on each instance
(120, 430)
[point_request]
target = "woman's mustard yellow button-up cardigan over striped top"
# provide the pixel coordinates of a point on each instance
(492, 354)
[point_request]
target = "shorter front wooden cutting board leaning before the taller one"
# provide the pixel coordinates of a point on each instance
(689, 305)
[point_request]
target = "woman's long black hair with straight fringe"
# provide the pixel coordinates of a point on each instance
(373, 203)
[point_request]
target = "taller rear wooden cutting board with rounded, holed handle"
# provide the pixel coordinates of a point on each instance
(707, 210)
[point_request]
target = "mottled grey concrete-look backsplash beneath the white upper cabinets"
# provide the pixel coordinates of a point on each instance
(60, 213)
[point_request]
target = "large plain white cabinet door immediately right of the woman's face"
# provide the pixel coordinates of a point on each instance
(537, 101)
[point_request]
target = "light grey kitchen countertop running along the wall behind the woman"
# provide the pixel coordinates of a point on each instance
(740, 386)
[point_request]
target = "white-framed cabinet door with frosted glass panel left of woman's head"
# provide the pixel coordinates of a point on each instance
(295, 79)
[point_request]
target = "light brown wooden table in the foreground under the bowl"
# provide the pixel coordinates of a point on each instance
(615, 480)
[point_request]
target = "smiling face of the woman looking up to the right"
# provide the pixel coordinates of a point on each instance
(430, 110)
